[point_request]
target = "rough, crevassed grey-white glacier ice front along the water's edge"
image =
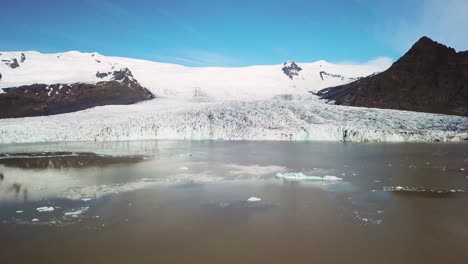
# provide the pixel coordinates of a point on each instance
(302, 119)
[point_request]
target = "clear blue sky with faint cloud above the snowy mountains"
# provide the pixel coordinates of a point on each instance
(233, 32)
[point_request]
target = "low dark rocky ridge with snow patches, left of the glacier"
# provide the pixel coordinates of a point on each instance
(43, 99)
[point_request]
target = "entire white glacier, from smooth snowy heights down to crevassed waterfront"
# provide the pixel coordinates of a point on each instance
(215, 103)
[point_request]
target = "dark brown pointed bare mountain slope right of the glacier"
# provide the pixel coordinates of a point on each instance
(430, 77)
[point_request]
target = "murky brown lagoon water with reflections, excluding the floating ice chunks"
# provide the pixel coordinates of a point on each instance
(186, 202)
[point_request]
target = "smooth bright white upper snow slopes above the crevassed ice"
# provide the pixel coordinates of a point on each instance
(170, 80)
